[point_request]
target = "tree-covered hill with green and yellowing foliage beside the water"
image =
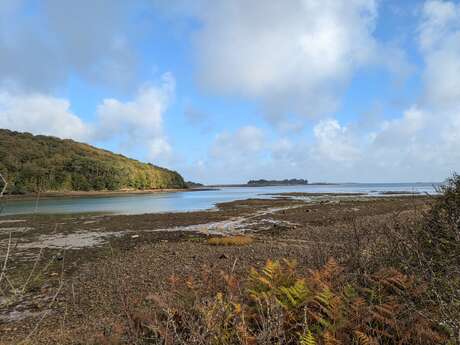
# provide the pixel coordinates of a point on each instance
(42, 163)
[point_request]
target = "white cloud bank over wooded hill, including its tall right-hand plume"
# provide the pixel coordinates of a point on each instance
(133, 124)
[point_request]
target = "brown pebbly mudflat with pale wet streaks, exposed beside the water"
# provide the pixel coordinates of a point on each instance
(77, 273)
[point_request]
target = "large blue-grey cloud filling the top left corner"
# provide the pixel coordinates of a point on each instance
(43, 46)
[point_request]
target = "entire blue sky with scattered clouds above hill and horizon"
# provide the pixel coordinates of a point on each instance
(224, 91)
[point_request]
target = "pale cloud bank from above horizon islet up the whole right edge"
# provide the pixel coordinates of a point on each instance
(421, 143)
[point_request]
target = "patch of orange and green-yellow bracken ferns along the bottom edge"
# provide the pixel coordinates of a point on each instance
(280, 305)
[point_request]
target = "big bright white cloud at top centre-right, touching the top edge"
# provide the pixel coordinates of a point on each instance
(292, 56)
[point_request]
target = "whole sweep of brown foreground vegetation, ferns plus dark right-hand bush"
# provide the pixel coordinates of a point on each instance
(397, 283)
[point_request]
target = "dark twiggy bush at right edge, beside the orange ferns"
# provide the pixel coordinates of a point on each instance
(428, 248)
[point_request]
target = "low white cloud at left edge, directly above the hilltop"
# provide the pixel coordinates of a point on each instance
(41, 114)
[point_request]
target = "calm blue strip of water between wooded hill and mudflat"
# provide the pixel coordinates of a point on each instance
(191, 201)
